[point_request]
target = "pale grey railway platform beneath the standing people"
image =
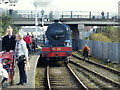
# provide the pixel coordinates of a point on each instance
(30, 73)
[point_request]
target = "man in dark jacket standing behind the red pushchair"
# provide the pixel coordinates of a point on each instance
(8, 41)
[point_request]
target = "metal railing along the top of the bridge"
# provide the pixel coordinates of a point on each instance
(65, 14)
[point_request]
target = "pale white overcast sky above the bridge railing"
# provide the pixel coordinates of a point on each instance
(74, 5)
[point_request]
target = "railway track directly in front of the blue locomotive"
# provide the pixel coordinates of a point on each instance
(58, 77)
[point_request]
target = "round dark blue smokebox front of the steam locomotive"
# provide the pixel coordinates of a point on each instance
(56, 34)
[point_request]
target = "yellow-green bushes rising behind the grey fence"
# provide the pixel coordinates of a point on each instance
(106, 34)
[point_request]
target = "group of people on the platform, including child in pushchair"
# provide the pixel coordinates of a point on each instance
(21, 47)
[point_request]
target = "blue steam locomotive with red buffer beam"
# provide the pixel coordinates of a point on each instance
(57, 42)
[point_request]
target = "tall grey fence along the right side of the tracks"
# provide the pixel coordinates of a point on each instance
(101, 50)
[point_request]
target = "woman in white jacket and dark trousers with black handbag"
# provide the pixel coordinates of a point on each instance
(21, 57)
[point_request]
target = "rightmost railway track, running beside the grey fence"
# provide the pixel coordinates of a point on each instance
(112, 74)
